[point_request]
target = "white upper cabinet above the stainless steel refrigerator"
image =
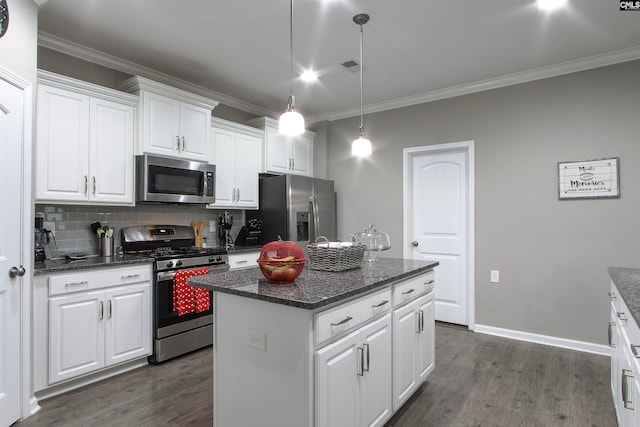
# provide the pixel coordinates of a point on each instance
(285, 154)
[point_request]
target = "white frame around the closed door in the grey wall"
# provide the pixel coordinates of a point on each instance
(407, 197)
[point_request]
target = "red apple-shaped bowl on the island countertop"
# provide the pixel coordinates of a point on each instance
(281, 261)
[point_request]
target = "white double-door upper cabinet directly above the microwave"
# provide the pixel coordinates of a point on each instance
(172, 122)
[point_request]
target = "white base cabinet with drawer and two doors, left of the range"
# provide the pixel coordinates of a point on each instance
(86, 322)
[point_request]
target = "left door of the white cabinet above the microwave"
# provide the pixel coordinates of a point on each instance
(160, 124)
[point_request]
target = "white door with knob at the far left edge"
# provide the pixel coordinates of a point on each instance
(11, 144)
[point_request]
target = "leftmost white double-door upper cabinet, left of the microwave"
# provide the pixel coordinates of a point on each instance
(84, 142)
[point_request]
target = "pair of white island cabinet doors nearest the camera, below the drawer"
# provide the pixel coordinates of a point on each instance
(353, 378)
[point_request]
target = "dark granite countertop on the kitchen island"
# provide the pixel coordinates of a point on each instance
(313, 288)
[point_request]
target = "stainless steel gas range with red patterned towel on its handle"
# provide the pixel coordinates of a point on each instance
(175, 330)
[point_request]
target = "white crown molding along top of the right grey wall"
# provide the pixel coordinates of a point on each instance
(610, 58)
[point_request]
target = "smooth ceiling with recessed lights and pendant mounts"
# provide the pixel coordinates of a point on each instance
(414, 50)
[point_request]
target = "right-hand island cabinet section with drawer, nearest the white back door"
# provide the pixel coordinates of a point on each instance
(413, 341)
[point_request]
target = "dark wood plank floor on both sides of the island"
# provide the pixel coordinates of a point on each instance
(479, 380)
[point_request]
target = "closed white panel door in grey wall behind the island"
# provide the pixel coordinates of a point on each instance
(439, 227)
